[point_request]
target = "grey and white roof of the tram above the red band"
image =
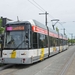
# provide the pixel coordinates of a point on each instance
(36, 23)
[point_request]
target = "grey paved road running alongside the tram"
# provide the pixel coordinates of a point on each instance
(55, 65)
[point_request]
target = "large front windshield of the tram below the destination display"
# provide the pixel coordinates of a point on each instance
(16, 39)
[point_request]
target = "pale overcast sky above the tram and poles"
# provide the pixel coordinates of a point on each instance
(64, 10)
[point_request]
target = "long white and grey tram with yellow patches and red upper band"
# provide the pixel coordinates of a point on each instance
(26, 42)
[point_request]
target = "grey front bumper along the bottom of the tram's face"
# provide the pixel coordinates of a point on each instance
(16, 61)
